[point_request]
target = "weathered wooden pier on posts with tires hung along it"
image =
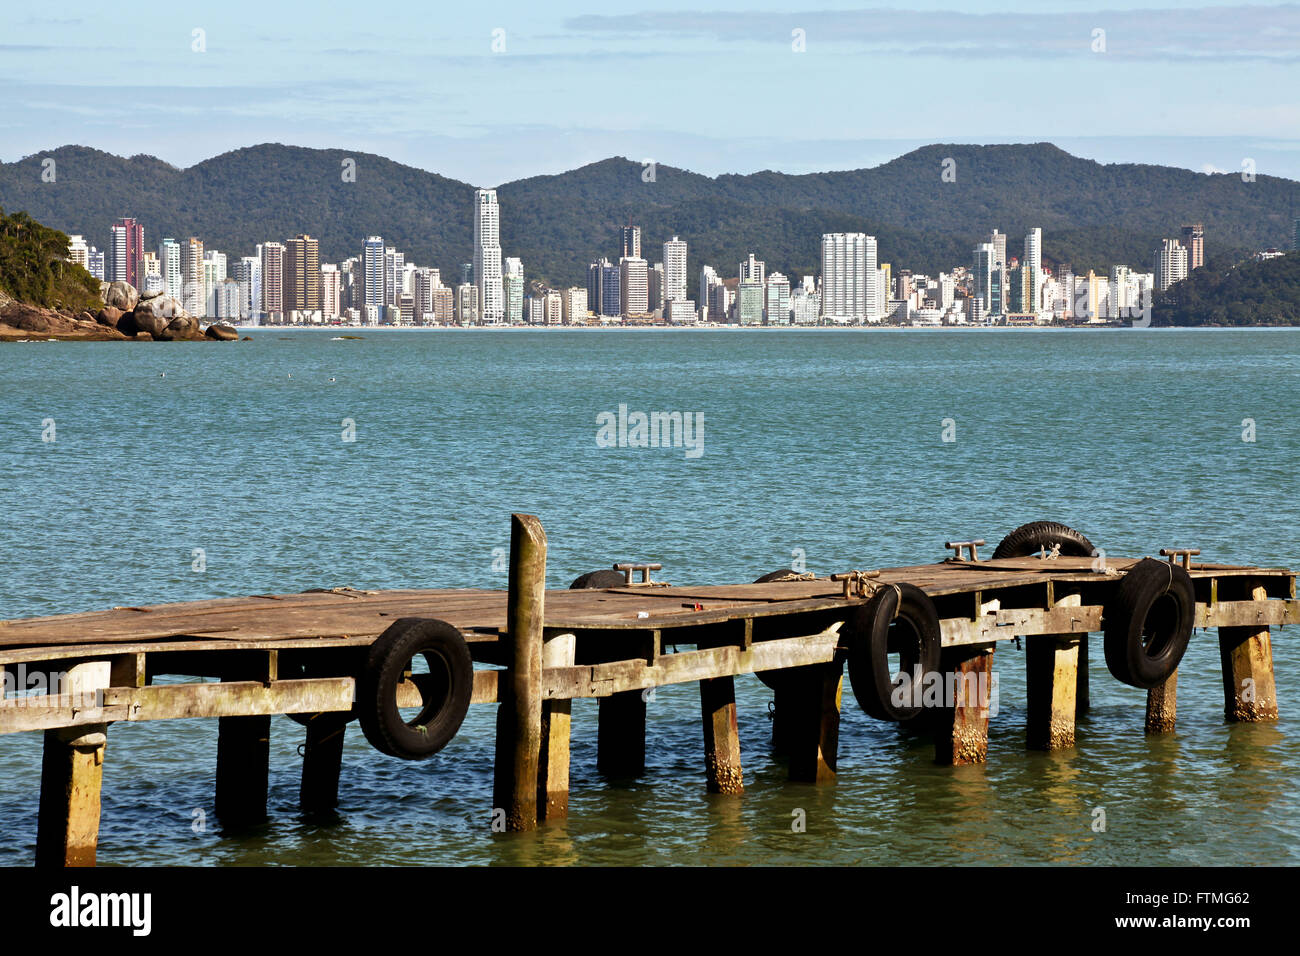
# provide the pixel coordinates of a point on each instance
(918, 642)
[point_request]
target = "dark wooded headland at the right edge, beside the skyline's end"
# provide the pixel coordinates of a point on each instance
(1250, 293)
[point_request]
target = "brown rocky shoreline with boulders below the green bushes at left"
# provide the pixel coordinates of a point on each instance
(127, 315)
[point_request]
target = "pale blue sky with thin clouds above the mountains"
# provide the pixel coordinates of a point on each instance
(720, 89)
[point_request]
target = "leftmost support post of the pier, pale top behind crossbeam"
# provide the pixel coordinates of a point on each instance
(72, 775)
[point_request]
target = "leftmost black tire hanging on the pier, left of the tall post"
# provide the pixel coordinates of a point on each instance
(450, 685)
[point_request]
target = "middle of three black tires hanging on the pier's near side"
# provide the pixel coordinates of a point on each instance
(899, 620)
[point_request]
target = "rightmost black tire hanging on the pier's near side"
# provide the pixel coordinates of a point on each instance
(1149, 624)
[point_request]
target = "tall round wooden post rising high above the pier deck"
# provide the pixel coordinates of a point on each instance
(519, 719)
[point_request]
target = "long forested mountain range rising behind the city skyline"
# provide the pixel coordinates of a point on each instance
(1093, 215)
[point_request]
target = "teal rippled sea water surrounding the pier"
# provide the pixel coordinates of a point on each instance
(829, 444)
